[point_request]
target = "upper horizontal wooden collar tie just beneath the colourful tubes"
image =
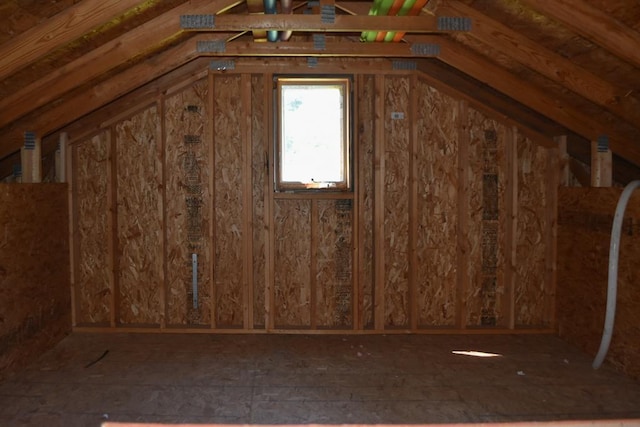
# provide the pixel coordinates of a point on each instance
(313, 23)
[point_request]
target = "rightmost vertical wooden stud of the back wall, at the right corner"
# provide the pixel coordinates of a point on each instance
(553, 178)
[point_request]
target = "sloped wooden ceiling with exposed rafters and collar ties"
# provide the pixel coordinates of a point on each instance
(561, 67)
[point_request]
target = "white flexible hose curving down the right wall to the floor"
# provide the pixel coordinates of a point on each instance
(612, 289)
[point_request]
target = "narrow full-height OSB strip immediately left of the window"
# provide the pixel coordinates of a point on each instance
(259, 171)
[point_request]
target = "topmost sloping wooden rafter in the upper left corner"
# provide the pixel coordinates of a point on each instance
(59, 30)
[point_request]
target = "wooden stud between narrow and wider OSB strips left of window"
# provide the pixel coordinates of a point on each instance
(247, 182)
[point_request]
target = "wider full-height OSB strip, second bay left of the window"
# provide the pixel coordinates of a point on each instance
(228, 196)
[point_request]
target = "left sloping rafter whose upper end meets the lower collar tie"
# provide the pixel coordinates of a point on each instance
(73, 108)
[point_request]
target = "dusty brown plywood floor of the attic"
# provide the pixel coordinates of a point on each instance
(291, 379)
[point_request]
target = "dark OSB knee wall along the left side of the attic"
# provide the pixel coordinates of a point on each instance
(35, 304)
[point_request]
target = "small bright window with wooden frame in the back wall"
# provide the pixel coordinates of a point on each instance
(312, 122)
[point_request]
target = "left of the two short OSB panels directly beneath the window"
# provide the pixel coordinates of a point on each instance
(292, 252)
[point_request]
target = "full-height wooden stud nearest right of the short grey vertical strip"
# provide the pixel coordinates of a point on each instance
(212, 161)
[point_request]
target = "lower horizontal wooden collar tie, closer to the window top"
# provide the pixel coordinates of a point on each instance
(351, 49)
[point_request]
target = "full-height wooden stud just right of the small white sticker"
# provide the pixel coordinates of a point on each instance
(413, 204)
